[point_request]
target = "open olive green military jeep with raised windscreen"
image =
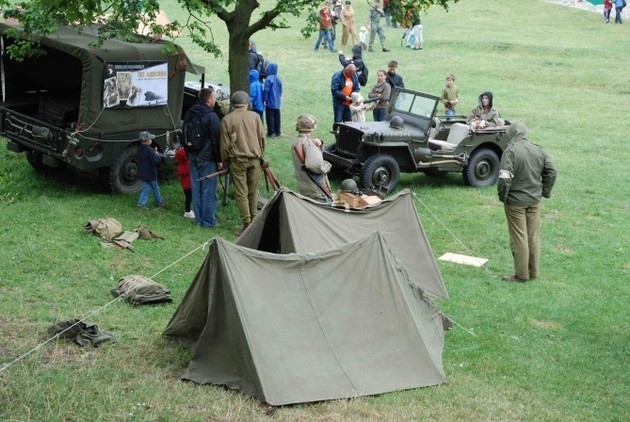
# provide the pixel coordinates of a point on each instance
(414, 139)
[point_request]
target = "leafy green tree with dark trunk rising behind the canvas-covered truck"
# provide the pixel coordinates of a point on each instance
(122, 18)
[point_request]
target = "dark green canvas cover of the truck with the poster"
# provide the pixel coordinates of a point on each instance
(74, 67)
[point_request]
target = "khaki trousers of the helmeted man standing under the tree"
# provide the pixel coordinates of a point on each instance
(245, 174)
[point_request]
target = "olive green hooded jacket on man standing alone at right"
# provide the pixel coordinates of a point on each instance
(526, 173)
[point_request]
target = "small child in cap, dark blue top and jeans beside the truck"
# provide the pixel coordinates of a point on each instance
(147, 161)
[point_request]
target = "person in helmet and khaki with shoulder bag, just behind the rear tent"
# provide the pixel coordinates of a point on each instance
(309, 165)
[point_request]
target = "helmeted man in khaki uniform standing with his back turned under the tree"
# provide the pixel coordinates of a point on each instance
(242, 146)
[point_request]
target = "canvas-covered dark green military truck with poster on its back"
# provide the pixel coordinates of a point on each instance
(82, 106)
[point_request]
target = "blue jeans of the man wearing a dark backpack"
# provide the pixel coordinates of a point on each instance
(204, 193)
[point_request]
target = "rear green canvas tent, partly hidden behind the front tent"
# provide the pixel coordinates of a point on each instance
(291, 222)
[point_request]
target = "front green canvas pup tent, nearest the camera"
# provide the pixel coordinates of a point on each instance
(294, 328)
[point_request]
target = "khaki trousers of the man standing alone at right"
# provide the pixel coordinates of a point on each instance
(524, 228)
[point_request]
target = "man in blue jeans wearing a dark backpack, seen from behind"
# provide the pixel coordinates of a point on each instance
(201, 142)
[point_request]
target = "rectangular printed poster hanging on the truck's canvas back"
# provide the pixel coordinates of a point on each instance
(135, 84)
